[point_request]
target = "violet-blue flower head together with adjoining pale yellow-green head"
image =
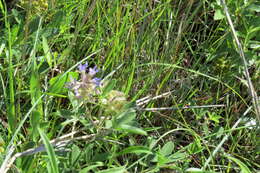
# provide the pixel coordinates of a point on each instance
(88, 86)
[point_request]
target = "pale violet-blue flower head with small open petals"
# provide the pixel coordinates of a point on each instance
(88, 85)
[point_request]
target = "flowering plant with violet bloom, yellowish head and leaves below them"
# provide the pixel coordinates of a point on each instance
(91, 90)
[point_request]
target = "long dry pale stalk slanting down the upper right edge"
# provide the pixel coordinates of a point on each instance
(252, 91)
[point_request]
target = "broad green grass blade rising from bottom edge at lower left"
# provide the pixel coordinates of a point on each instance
(50, 152)
